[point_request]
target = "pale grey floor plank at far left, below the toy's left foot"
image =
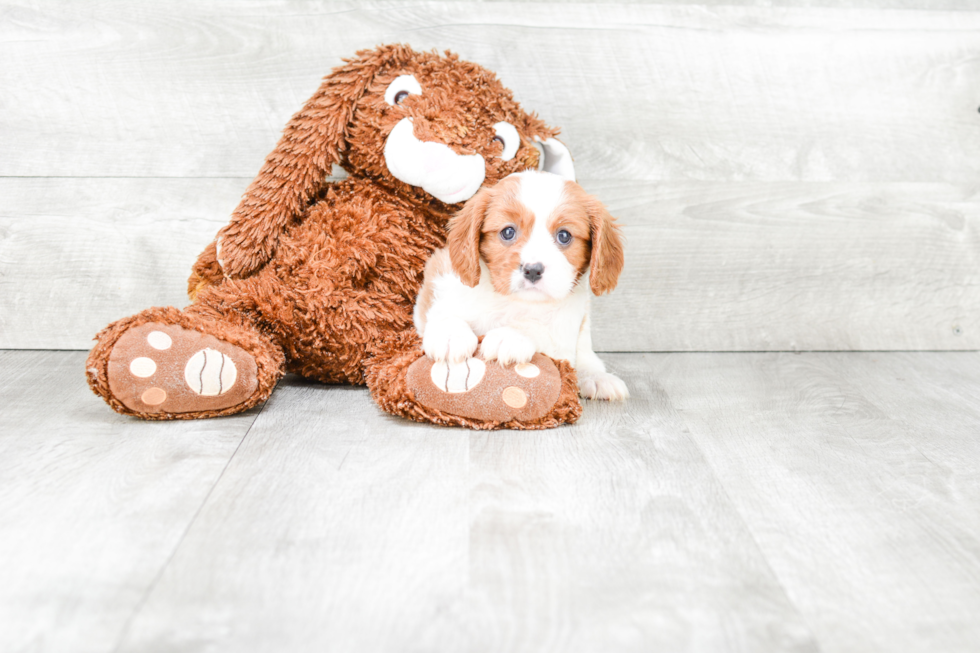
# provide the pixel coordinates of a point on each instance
(92, 504)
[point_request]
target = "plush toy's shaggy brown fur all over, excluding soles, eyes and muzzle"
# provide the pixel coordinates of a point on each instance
(320, 279)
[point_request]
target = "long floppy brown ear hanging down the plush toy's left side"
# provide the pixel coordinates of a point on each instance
(310, 147)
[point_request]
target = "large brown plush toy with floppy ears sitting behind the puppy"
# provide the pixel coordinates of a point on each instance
(319, 278)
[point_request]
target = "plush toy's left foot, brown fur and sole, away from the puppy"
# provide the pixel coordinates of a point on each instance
(176, 369)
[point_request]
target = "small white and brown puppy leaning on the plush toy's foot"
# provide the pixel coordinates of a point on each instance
(520, 265)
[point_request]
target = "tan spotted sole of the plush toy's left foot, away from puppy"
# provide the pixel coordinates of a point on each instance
(166, 368)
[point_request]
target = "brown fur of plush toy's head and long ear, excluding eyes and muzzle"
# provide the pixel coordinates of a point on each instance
(347, 121)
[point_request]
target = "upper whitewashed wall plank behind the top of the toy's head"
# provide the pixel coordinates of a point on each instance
(661, 92)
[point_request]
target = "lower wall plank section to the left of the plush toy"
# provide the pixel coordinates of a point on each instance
(76, 254)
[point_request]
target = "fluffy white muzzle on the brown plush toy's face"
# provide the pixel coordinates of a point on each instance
(433, 167)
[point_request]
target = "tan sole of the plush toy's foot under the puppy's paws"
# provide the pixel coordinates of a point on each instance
(486, 390)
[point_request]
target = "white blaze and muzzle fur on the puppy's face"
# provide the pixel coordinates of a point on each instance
(542, 193)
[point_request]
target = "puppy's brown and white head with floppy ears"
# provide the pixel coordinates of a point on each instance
(538, 233)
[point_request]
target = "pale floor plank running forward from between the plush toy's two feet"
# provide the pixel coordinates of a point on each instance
(337, 528)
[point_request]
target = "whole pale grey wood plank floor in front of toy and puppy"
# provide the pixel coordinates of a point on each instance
(740, 502)
